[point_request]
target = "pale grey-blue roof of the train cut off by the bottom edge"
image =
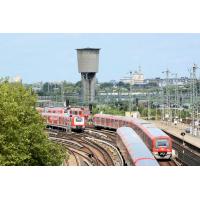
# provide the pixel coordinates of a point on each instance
(138, 151)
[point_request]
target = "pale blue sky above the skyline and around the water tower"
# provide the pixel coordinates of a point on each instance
(52, 57)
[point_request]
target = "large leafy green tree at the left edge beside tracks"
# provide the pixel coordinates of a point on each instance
(22, 137)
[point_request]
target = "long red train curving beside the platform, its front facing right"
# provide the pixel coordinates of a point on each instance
(159, 143)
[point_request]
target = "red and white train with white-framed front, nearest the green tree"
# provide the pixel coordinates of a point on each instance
(64, 122)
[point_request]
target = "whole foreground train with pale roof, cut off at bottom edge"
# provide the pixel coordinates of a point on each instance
(133, 149)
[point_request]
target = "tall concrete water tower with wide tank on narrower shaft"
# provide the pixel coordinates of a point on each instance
(88, 66)
